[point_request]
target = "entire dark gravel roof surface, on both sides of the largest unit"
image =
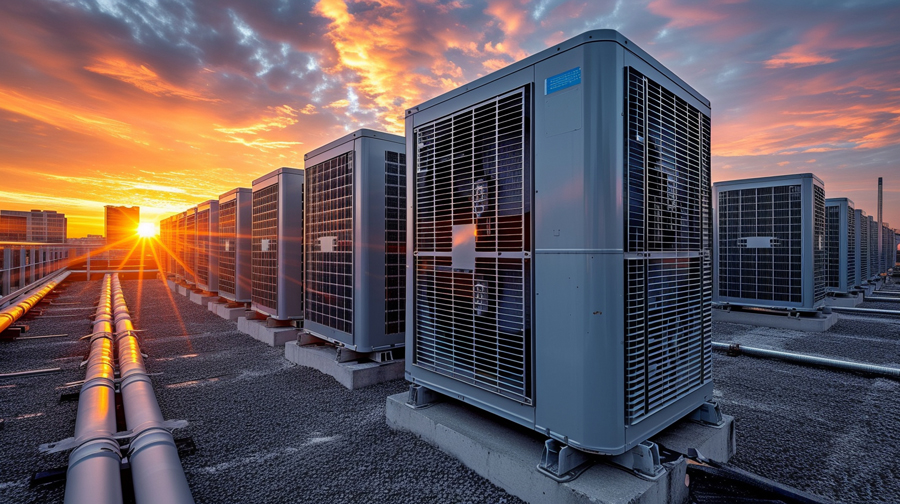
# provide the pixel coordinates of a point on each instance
(269, 431)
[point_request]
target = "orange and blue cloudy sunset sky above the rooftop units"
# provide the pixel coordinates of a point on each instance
(166, 103)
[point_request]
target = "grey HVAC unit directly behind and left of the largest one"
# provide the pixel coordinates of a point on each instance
(355, 225)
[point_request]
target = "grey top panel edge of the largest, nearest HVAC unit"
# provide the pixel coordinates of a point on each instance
(593, 36)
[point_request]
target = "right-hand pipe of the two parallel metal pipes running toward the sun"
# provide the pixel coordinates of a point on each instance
(155, 467)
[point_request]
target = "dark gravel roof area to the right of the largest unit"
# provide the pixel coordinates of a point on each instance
(831, 433)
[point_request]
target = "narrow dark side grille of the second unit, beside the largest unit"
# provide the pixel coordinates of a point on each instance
(394, 242)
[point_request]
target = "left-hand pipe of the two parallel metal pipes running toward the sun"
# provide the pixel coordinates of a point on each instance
(93, 474)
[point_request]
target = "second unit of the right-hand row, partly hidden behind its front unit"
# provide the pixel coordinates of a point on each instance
(840, 243)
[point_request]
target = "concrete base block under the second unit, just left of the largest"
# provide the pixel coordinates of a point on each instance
(353, 375)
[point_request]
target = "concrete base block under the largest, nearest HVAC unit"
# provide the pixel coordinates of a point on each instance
(507, 455)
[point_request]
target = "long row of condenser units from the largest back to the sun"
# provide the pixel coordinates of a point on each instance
(541, 241)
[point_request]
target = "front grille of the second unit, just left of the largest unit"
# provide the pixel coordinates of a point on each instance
(329, 243)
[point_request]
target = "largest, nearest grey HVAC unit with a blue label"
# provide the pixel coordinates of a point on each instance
(559, 244)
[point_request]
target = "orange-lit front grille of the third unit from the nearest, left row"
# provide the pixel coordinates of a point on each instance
(264, 247)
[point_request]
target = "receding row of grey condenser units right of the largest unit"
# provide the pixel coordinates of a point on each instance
(779, 243)
